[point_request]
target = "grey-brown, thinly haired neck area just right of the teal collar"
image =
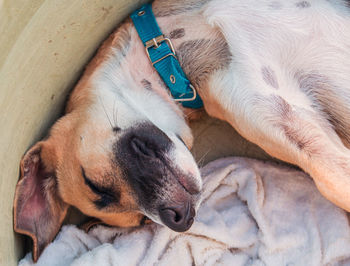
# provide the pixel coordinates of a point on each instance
(201, 48)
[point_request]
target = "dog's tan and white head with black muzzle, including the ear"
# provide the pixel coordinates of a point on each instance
(118, 155)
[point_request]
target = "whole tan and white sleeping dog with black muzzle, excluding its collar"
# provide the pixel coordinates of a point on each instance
(277, 71)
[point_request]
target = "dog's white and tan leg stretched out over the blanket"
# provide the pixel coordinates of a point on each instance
(301, 136)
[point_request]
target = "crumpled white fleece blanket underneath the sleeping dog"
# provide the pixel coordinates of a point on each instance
(253, 213)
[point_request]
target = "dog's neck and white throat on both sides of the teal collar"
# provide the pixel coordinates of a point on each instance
(126, 86)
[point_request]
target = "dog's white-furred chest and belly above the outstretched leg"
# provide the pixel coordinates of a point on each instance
(292, 50)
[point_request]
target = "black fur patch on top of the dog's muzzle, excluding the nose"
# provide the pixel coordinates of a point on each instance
(143, 162)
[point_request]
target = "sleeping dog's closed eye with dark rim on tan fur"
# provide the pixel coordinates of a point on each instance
(107, 195)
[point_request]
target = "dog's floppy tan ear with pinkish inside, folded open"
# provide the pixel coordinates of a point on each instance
(38, 209)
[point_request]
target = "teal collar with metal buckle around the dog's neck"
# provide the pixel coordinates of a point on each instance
(162, 55)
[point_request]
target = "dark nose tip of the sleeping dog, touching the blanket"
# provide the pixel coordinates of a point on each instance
(178, 218)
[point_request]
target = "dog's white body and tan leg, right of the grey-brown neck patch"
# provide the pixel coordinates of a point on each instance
(287, 87)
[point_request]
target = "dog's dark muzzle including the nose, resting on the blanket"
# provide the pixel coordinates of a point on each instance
(165, 191)
